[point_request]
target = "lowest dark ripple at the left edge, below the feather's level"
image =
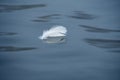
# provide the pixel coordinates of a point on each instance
(13, 48)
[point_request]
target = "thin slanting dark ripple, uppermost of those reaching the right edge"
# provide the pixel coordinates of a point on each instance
(99, 30)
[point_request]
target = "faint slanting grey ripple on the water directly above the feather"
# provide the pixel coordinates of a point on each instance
(47, 18)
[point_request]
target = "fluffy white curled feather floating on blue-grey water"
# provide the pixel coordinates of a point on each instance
(55, 31)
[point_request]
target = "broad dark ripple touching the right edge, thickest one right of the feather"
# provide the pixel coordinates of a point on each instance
(104, 43)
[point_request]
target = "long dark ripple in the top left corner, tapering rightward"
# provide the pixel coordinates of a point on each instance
(9, 8)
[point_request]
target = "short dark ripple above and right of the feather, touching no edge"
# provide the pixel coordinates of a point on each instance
(82, 15)
